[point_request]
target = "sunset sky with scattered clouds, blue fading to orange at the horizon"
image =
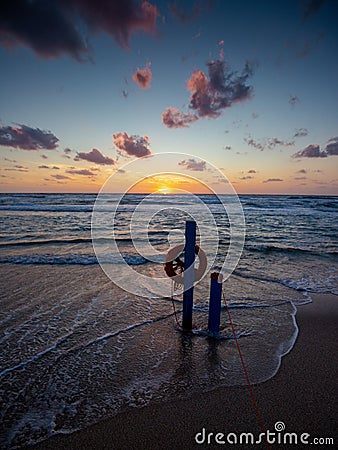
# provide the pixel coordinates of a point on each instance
(248, 86)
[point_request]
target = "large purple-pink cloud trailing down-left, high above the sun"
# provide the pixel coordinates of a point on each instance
(209, 96)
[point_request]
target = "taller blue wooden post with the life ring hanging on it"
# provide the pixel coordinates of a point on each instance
(189, 273)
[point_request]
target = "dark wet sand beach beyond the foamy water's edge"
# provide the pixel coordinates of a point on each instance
(301, 395)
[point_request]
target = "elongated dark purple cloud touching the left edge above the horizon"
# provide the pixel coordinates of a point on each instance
(27, 138)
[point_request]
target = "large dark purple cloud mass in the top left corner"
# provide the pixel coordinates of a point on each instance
(48, 27)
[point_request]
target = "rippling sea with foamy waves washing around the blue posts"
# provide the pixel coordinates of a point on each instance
(91, 326)
